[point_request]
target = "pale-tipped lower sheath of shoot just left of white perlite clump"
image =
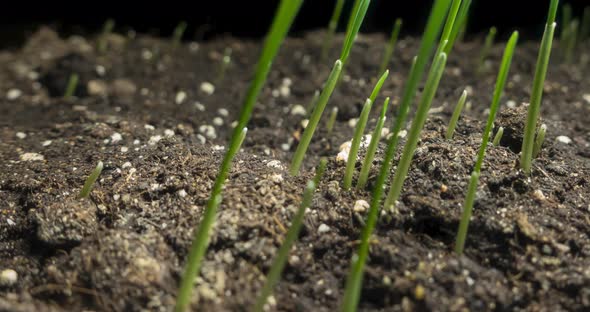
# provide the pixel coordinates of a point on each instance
(315, 118)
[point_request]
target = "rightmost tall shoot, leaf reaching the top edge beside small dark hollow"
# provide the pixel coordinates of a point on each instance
(537, 91)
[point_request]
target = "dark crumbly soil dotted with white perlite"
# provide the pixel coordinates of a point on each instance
(123, 249)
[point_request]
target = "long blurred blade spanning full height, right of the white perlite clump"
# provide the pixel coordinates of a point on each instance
(354, 279)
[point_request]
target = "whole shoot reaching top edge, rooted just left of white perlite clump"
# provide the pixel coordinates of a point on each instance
(356, 19)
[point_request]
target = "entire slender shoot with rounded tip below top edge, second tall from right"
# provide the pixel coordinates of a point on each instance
(471, 190)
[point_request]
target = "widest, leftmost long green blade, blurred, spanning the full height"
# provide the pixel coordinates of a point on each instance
(282, 21)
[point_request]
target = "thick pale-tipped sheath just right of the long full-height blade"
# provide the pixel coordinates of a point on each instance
(414, 134)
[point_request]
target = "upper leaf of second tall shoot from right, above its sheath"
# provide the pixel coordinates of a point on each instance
(498, 90)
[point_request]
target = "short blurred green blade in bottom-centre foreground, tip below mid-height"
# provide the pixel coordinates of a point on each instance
(274, 274)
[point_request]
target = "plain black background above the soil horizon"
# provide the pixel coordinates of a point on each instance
(251, 18)
